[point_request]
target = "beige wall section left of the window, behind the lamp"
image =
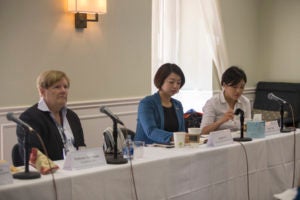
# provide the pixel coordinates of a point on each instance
(110, 59)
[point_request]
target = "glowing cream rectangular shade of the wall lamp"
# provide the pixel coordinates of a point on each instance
(87, 6)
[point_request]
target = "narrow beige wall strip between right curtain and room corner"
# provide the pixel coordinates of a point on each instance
(241, 20)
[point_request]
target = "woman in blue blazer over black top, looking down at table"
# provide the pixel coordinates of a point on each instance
(160, 115)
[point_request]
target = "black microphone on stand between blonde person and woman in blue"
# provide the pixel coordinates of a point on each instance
(115, 159)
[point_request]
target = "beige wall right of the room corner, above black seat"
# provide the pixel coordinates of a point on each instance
(280, 40)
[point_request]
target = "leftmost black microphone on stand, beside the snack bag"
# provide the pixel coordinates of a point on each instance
(26, 174)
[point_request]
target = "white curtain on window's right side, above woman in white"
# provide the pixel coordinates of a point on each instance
(214, 27)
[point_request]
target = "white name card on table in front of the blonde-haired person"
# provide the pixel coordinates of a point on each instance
(86, 158)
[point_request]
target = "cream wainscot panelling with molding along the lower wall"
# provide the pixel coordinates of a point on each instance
(93, 121)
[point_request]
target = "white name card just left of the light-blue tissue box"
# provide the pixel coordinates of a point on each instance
(219, 138)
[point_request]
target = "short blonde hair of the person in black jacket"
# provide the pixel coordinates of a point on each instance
(48, 78)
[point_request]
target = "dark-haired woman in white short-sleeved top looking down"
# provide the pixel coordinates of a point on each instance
(218, 112)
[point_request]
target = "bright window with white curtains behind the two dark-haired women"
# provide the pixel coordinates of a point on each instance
(189, 33)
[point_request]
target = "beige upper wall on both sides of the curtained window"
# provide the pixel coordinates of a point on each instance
(111, 59)
